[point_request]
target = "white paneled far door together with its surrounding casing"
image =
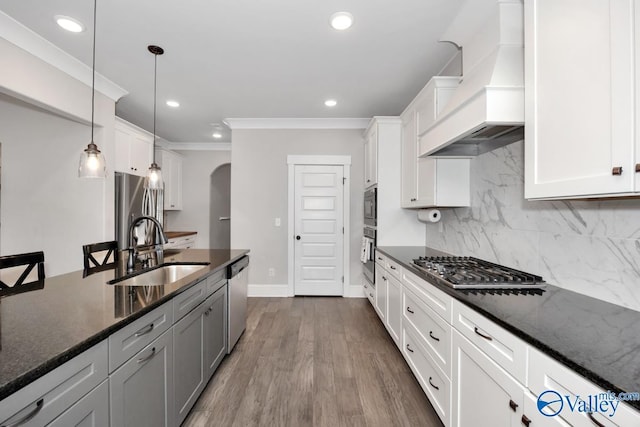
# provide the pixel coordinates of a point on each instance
(319, 215)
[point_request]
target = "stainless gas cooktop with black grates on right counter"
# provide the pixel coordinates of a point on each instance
(474, 273)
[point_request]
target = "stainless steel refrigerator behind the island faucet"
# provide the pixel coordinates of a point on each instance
(133, 201)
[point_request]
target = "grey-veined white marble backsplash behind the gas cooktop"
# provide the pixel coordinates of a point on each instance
(590, 247)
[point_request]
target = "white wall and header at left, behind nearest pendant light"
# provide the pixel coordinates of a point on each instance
(44, 126)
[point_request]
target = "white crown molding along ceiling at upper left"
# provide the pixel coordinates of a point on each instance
(31, 42)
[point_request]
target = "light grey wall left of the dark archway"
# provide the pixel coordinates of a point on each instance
(197, 167)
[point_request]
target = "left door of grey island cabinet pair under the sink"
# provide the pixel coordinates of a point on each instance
(188, 361)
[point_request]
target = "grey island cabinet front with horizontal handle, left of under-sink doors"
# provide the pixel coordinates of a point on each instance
(141, 390)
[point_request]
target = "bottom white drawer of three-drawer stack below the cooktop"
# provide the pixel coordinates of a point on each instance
(433, 381)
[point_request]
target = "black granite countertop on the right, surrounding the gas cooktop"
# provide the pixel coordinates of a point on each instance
(597, 339)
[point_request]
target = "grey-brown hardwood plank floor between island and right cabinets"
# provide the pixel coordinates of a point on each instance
(313, 361)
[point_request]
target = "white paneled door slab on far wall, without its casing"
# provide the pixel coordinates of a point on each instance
(318, 230)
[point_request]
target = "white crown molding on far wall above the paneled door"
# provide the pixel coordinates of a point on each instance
(297, 123)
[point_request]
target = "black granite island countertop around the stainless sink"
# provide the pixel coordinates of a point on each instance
(43, 328)
